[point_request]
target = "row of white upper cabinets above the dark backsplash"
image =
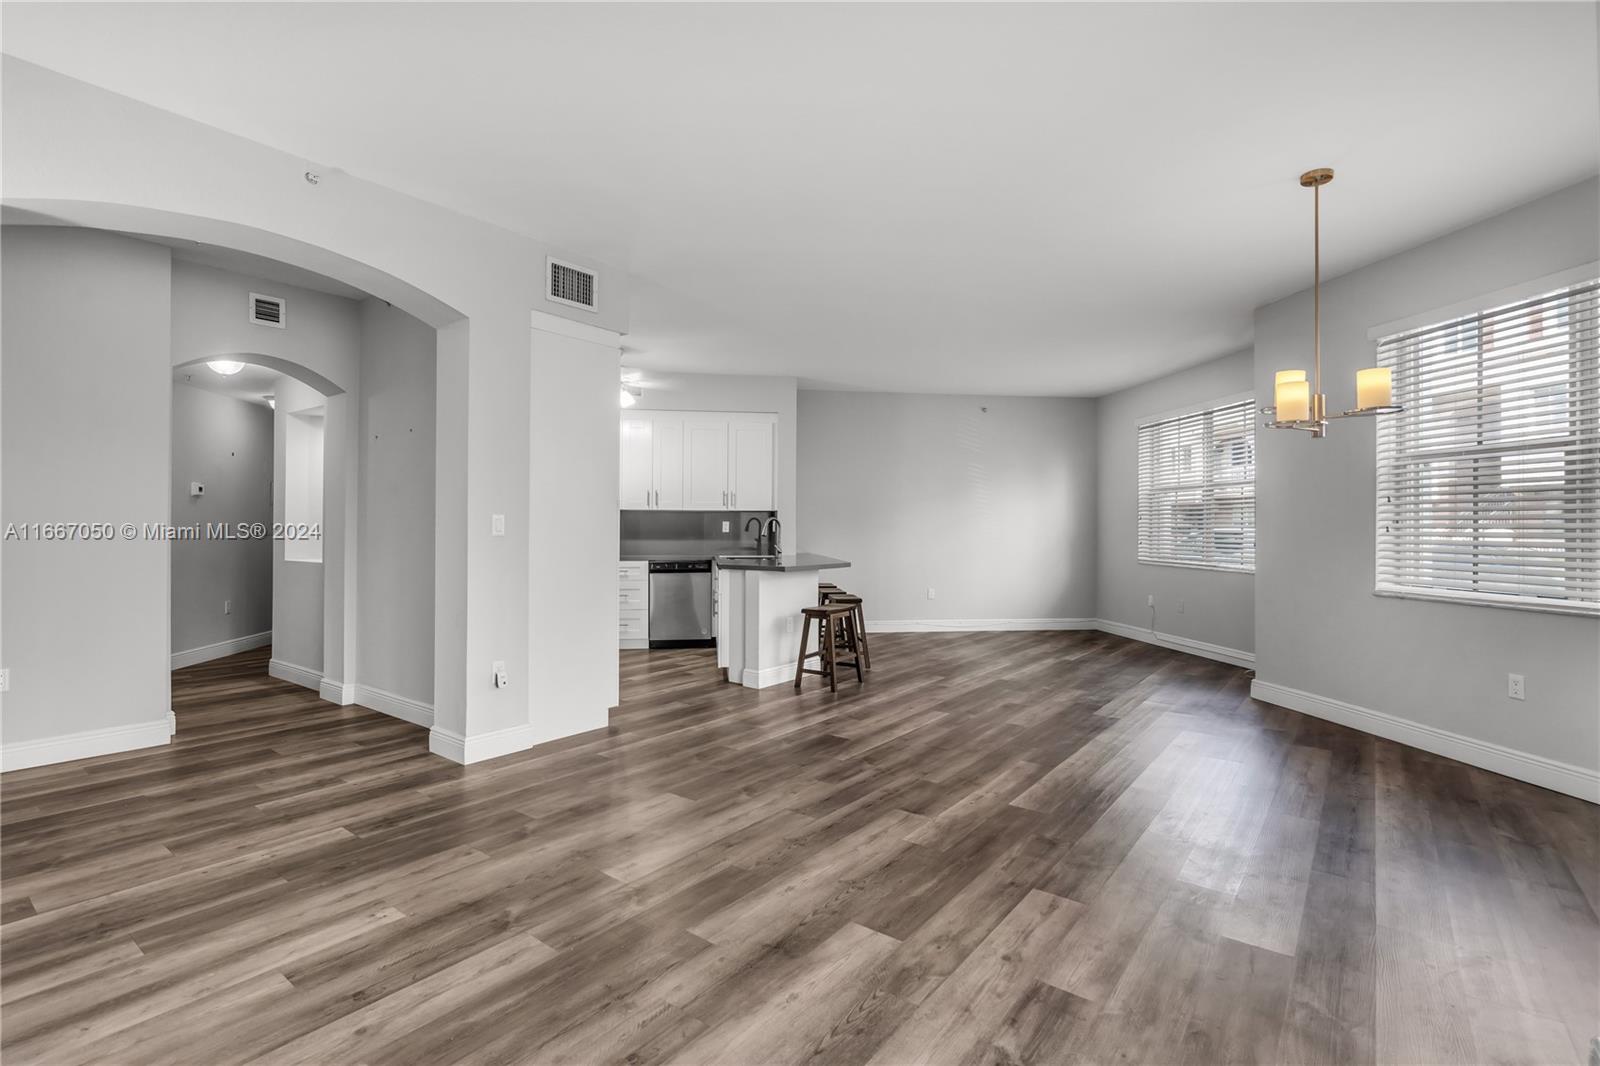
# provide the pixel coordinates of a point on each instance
(698, 462)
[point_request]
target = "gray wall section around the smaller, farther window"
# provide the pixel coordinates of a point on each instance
(1217, 607)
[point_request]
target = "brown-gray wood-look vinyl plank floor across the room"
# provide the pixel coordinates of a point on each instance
(1006, 848)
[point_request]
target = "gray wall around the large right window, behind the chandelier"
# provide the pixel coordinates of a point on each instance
(1319, 628)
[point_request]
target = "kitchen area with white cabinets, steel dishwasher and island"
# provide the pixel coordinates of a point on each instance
(705, 491)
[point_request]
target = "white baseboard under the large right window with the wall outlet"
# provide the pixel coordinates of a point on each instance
(1550, 774)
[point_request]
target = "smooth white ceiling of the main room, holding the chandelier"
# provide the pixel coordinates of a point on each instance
(927, 198)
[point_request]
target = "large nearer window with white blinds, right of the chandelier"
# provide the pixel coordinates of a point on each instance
(1489, 481)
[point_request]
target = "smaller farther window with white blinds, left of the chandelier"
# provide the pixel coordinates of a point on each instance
(1198, 489)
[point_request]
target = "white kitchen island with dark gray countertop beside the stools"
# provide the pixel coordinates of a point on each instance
(759, 601)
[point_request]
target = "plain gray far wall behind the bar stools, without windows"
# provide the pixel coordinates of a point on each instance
(994, 511)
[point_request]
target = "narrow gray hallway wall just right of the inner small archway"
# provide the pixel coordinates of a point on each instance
(396, 543)
